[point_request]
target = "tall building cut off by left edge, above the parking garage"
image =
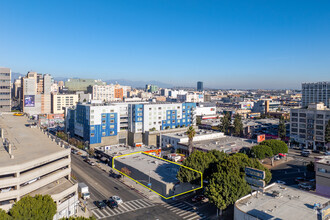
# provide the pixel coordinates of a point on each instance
(5, 93)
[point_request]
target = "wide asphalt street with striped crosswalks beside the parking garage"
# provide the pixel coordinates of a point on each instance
(134, 206)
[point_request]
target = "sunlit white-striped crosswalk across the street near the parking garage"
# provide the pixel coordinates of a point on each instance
(122, 208)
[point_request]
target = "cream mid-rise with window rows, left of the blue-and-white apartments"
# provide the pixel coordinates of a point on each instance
(61, 101)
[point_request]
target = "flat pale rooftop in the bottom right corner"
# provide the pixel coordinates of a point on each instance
(291, 204)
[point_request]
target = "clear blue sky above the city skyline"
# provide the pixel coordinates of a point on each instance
(226, 44)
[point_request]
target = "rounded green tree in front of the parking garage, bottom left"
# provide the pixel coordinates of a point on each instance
(39, 207)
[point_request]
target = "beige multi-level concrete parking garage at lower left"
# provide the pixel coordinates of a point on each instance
(31, 164)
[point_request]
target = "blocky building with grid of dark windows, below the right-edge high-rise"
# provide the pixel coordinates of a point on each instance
(307, 125)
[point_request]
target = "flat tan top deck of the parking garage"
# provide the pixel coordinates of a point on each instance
(27, 143)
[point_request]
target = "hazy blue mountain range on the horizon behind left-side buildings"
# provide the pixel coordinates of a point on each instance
(124, 82)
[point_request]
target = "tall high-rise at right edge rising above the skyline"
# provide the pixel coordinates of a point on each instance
(315, 93)
